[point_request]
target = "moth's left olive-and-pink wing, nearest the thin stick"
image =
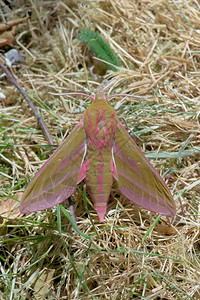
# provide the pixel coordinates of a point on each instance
(58, 177)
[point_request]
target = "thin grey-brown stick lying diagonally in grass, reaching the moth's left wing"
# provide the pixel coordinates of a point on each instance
(34, 109)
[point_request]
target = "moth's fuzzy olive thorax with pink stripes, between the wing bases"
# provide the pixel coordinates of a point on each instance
(100, 123)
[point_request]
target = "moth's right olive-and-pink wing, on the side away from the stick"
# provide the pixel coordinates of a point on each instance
(138, 180)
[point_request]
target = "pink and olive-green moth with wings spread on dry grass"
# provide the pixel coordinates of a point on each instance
(97, 150)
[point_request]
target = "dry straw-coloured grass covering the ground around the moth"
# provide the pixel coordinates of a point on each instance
(158, 44)
